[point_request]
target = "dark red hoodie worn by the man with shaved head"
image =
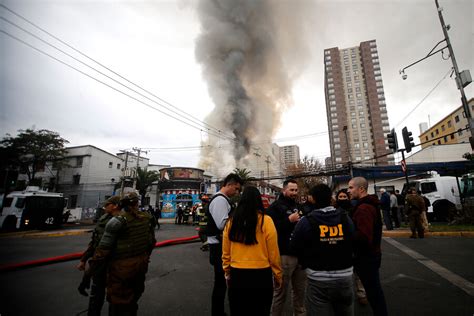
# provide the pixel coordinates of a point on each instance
(368, 224)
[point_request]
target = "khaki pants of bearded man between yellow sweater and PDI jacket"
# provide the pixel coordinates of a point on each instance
(293, 273)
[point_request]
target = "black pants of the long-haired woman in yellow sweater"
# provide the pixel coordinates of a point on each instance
(250, 291)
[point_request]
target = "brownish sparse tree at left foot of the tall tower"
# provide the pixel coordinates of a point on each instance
(305, 174)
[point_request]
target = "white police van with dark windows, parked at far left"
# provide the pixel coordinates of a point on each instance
(32, 209)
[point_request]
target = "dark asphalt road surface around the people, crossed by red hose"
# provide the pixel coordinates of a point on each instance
(179, 281)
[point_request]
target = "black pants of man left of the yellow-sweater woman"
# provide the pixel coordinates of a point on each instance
(220, 287)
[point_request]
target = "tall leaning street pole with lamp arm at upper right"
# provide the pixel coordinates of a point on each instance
(462, 79)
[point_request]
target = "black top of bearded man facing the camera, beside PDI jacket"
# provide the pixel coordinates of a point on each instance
(279, 212)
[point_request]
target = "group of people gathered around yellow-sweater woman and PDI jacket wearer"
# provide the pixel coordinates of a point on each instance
(326, 251)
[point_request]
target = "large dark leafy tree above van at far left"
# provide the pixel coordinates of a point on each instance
(30, 150)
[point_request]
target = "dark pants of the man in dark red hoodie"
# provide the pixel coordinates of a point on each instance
(367, 268)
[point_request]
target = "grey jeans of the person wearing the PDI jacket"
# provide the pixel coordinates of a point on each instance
(323, 297)
